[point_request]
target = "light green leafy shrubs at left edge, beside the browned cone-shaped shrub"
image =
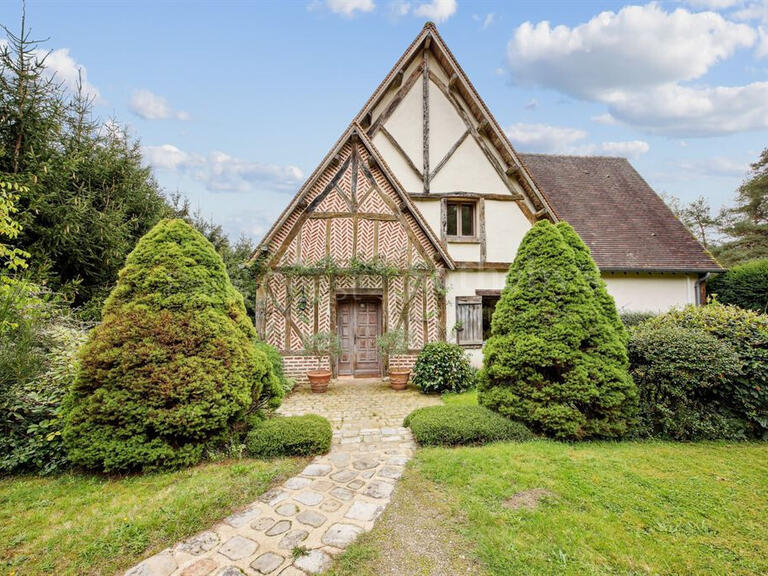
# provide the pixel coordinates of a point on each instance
(38, 349)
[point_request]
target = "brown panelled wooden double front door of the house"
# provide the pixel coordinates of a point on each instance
(359, 325)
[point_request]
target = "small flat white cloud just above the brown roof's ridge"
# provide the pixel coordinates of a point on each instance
(548, 139)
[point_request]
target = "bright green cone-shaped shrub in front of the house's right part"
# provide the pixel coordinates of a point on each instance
(555, 360)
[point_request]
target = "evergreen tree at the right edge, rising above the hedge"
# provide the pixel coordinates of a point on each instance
(746, 224)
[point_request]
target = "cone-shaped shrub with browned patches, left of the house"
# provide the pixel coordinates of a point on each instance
(172, 366)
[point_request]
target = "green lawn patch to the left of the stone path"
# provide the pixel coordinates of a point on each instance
(84, 524)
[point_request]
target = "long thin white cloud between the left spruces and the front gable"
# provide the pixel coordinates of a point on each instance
(221, 172)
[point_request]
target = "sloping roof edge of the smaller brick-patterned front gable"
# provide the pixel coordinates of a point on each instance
(355, 131)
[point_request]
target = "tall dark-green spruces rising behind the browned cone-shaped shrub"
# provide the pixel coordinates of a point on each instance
(87, 198)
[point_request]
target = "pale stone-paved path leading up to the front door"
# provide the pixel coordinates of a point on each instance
(323, 509)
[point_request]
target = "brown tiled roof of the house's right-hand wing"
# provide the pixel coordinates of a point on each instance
(626, 225)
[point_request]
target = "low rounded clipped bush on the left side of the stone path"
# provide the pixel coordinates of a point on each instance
(290, 436)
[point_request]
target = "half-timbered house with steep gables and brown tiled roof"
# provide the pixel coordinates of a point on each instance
(412, 219)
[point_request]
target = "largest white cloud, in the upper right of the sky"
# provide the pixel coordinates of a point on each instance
(635, 61)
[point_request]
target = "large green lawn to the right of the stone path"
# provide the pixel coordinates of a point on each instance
(616, 508)
